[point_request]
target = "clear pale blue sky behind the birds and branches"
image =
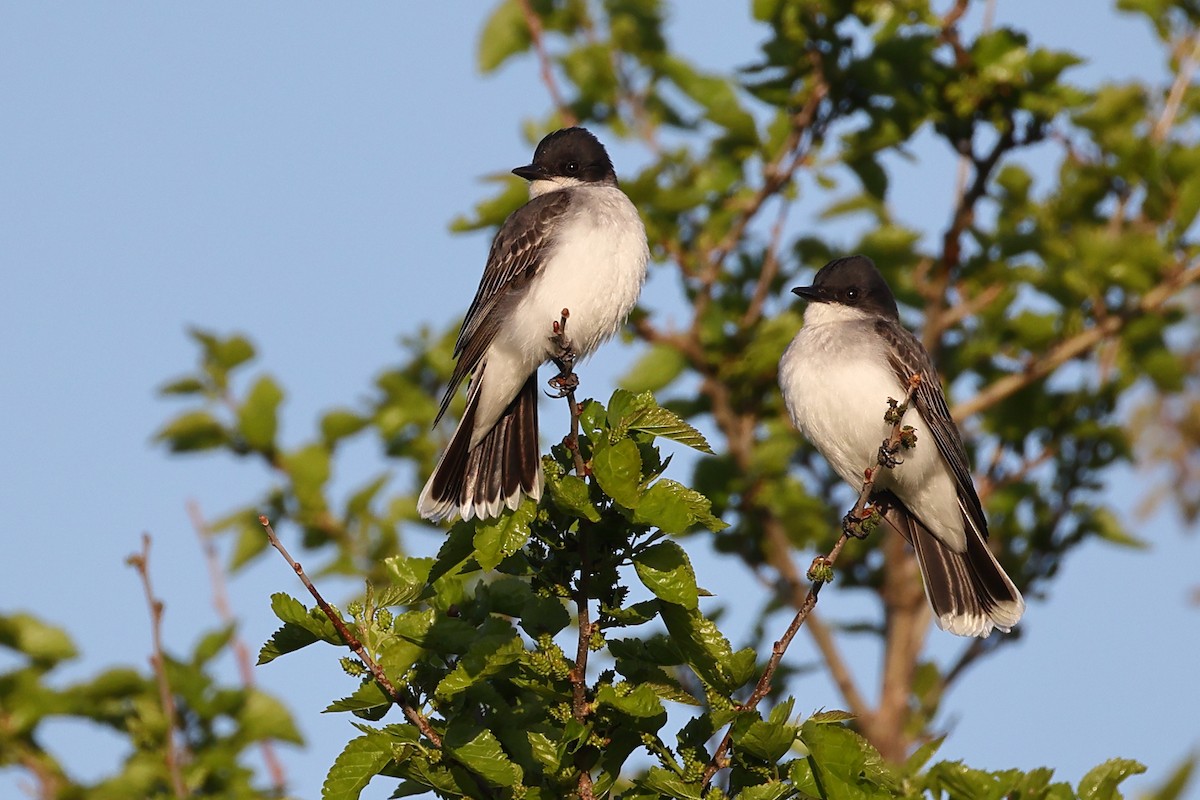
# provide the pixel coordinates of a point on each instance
(291, 172)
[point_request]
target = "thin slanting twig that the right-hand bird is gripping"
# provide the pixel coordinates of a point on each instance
(821, 573)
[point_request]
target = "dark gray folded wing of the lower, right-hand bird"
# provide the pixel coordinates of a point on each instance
(909, 357)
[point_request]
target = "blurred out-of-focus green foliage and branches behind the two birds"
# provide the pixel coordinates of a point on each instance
(1058, 304)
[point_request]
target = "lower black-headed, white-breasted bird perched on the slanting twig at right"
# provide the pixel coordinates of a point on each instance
(849, 358)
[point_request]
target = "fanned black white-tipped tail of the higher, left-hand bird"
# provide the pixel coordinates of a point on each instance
(505, 467)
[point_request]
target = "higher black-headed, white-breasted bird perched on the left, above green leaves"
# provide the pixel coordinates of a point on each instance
(578, 245)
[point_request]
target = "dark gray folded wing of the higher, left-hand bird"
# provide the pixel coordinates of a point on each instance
(518, 255)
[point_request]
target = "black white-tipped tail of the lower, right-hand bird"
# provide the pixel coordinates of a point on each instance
(969, 592)
